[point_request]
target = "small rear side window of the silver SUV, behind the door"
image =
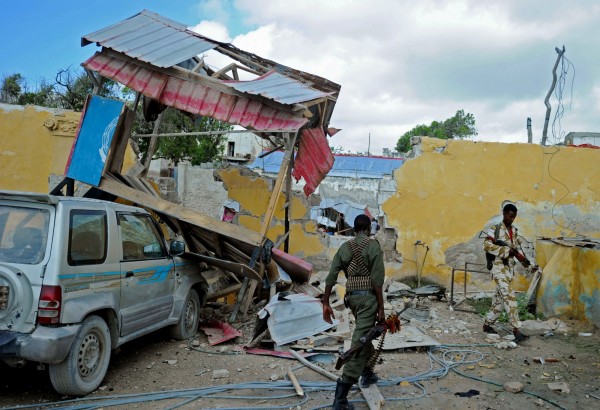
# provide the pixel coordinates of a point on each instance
(87, 237)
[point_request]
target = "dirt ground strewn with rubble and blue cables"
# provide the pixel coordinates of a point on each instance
(156, 371)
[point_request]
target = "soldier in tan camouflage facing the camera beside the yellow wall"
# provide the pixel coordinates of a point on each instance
(503, 271)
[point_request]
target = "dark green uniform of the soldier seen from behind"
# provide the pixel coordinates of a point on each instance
(363, 307)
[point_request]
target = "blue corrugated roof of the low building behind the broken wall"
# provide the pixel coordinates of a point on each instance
(344, 165)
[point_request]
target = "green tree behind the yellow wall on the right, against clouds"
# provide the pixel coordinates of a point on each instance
(459, 126)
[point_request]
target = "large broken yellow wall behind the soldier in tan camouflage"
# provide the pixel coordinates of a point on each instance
(453, 189)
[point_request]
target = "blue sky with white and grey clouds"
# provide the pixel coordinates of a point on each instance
(400, 63)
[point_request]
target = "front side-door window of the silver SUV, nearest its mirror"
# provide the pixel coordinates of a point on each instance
(141, 239)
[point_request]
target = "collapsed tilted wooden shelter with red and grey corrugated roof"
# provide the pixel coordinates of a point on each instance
(164, 63)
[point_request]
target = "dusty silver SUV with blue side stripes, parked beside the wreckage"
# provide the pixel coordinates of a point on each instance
(80, 277)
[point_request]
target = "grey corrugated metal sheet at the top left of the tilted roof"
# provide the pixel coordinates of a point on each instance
(151, 38)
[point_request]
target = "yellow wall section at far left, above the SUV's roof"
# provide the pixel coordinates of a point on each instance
(35, 143)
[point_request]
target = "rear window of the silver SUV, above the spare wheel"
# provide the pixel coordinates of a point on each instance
(23, 234)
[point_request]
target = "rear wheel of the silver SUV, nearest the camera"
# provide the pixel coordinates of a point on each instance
(85, 366)
